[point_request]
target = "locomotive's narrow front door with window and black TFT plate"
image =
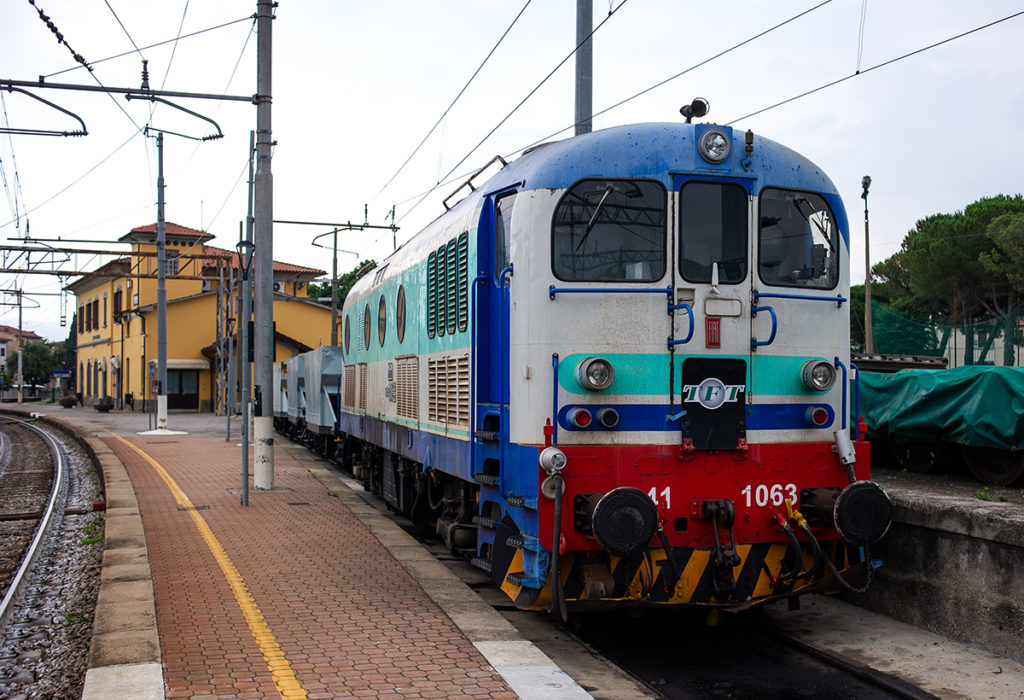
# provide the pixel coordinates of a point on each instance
(713, 278)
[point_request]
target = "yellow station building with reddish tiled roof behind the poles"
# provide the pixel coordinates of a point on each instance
(117, 321)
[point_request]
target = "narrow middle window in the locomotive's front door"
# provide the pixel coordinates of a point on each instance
(713, 230)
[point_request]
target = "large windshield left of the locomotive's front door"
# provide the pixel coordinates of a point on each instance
(610, 231)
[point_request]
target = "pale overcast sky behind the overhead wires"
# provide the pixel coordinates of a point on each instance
(358, 85)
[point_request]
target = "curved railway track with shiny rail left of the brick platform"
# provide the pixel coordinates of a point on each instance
(33, 475)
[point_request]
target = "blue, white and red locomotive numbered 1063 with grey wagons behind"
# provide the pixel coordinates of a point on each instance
(616, 373)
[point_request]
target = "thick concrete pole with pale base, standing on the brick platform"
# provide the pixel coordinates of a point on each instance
(264, 194)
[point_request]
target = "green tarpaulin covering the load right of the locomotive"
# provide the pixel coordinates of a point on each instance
(983, 407)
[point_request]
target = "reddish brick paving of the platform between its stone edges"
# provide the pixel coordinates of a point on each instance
(348, 618)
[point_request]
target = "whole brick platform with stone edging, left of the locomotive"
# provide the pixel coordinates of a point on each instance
(310, 592)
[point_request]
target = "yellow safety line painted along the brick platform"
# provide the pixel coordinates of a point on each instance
(281, 670)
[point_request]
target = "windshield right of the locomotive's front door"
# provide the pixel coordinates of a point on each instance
(798, 241)
